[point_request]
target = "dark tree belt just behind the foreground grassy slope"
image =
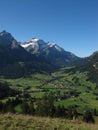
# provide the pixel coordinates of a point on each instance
(44, 106)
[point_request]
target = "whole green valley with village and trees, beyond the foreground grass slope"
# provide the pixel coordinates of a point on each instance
(66, 89)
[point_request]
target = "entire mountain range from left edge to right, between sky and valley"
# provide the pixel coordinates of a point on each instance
(36, 56)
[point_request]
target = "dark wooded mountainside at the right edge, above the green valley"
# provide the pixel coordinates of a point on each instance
(90, 66)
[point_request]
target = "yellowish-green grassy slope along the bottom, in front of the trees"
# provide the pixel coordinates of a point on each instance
(24, 122)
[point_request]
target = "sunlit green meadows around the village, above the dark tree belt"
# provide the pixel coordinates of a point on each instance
(38, 84)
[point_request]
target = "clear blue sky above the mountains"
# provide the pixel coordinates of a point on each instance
(72, 24)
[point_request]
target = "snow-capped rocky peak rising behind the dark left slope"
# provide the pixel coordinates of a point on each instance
(49, 51)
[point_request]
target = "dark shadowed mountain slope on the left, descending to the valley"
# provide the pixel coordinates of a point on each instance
(16, 61)
